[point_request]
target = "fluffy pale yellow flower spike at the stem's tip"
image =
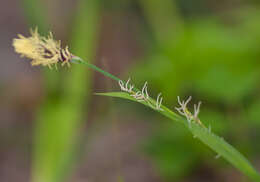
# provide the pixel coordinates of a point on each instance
(42, 50)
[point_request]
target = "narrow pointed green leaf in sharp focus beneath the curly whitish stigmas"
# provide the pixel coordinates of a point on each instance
(216, 143)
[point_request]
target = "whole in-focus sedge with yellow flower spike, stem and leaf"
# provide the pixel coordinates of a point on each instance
(48, 52)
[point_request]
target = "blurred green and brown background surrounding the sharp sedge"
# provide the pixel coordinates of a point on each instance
(53, 129)
